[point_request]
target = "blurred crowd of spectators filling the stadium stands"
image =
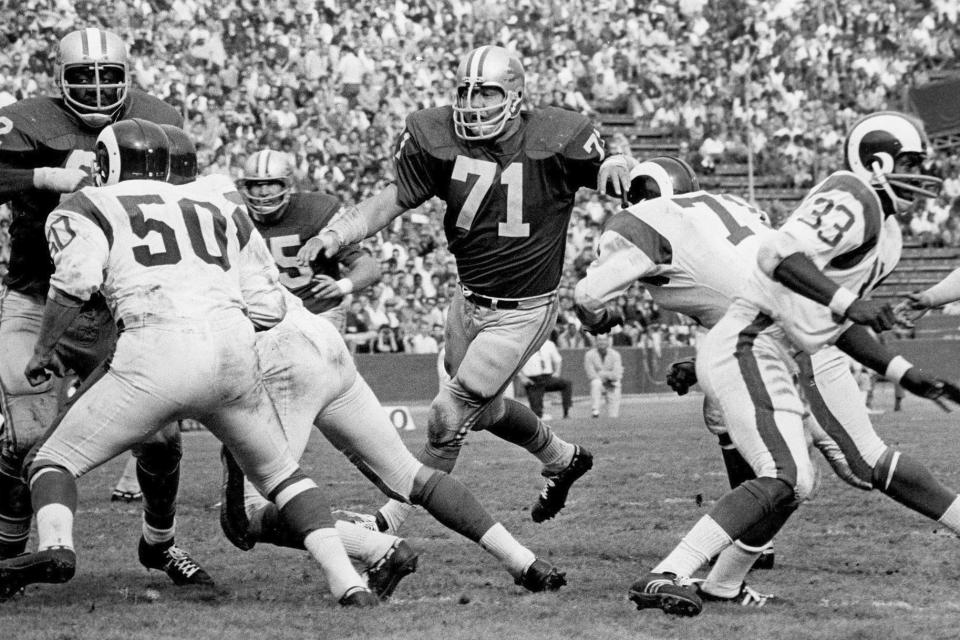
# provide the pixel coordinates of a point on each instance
(331, 83)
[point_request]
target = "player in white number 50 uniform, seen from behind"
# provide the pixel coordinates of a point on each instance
(184, 302)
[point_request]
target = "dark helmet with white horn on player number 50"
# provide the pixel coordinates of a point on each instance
(132, 149)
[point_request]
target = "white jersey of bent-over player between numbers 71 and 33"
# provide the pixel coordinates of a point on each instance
(692, 252)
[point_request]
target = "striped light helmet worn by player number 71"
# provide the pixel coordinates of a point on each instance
(485, 69)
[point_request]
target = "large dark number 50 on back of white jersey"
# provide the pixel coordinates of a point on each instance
(171, 254)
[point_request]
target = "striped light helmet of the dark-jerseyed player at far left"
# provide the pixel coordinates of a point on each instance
(92, 75)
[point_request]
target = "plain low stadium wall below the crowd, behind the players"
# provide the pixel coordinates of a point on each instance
(413, 378)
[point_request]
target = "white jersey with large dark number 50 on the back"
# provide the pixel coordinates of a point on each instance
(173, 251)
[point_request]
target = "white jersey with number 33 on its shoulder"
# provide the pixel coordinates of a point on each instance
(841, 227)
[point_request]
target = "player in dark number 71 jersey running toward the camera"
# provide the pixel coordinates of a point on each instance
(508, 177)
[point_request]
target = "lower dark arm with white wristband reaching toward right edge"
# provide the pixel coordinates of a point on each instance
(864, 347)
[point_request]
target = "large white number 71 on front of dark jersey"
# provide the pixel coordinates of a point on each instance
(485, 171)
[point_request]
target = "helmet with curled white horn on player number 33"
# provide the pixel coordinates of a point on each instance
(882, 148)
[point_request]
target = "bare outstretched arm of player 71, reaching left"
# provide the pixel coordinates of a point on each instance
(353, 224)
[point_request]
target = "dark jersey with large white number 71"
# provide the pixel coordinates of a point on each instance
(508, 203)
